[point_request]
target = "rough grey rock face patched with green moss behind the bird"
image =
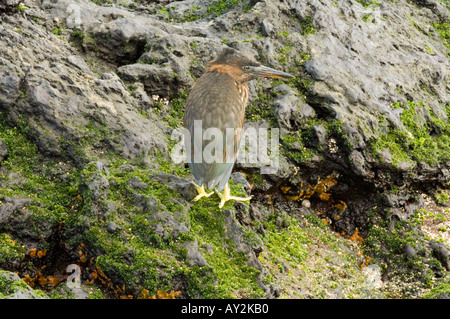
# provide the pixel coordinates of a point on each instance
(91, 92)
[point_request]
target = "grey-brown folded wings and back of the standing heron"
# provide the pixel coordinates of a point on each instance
(218, 105)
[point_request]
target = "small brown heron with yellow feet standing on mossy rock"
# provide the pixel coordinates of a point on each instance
(216, 104)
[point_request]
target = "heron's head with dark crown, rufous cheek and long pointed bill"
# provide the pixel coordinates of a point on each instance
(241, 67)
